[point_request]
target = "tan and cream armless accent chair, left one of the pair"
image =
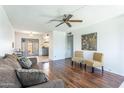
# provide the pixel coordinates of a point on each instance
(78, 57)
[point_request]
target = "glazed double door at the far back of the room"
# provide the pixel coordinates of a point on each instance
(30, 47)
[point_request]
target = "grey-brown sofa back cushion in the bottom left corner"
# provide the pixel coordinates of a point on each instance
(8, 78)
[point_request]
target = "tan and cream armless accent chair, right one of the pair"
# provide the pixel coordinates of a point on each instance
(96, 62)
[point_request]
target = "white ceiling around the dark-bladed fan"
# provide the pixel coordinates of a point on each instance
(36, 17)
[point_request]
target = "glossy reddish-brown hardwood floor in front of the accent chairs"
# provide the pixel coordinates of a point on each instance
(76, 77)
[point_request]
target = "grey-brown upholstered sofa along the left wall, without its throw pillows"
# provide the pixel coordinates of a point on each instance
(9, 79)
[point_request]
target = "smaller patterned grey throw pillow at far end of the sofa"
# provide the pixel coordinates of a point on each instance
(25, 62)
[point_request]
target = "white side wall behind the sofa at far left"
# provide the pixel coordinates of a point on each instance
(6, 33)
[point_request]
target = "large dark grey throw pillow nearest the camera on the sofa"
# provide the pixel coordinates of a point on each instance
(29, 77)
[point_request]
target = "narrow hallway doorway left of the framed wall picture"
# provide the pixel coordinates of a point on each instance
(69, 50)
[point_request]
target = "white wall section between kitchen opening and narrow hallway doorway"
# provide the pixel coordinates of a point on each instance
(57, 45)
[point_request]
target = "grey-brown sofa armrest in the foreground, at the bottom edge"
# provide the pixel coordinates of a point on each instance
(50, 84)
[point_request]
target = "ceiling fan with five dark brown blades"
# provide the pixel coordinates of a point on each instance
(67, 20)
